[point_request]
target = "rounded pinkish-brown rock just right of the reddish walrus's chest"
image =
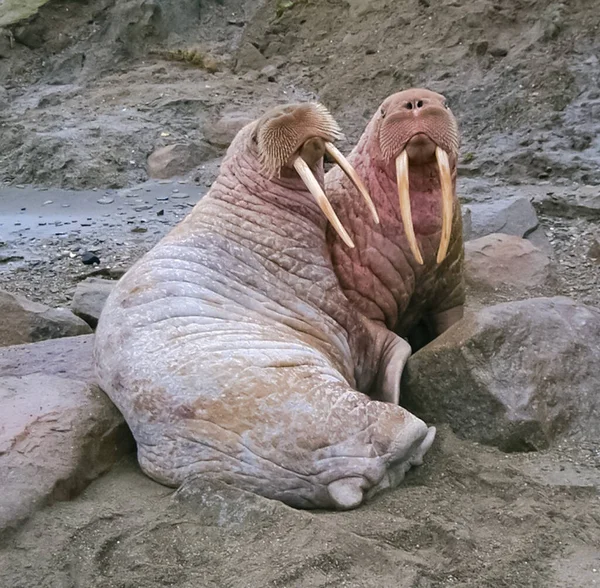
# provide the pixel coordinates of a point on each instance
(504, 262)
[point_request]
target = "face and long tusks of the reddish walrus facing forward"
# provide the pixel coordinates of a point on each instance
(414, 128)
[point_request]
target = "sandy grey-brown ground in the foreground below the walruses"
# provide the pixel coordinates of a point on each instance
(470, 517)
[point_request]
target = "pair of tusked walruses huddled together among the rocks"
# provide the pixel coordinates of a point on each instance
(256, 345)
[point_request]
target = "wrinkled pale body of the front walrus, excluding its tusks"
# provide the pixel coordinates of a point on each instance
(233, 353)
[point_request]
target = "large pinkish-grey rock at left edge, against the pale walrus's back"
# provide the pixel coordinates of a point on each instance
(57, 433)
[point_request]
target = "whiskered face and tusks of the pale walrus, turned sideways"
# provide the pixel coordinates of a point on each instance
(292, 140)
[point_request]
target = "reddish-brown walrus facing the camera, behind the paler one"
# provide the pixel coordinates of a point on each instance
(407, 270)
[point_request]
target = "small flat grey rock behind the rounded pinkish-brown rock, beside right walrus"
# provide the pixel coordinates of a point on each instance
(511, 216)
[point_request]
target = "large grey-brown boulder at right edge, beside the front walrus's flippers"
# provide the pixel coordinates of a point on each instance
(518, 375)
